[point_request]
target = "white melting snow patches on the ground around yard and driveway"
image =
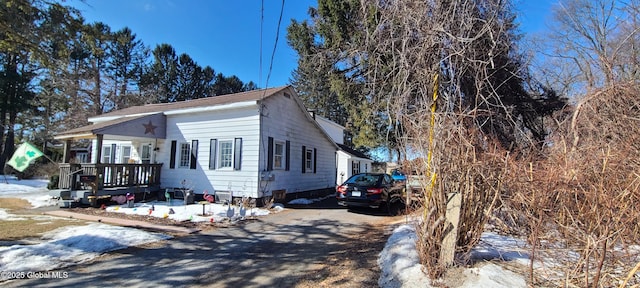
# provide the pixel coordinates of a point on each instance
(73, 244)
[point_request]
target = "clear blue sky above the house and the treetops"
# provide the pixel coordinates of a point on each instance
(225, 34)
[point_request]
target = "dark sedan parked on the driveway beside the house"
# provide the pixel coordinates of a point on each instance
(373, 190)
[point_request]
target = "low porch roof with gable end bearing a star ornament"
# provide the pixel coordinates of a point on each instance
(146, 126)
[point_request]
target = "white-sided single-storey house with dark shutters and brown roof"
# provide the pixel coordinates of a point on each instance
(249, 144)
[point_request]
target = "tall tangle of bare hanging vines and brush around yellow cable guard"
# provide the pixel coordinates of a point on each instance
(452, 50)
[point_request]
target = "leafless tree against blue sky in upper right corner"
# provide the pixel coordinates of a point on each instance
(596, 38)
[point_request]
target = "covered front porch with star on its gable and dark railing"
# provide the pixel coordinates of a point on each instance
(110, 175)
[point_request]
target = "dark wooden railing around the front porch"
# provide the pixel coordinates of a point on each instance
(109, 175)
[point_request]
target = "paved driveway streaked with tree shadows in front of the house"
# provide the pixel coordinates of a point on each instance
(313, 246)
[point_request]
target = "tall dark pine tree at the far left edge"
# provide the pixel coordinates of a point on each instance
(25, 47)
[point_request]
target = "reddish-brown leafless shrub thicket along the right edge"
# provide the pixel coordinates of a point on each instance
(581, 201)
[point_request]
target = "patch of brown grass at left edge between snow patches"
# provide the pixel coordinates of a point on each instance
(30, 226)
